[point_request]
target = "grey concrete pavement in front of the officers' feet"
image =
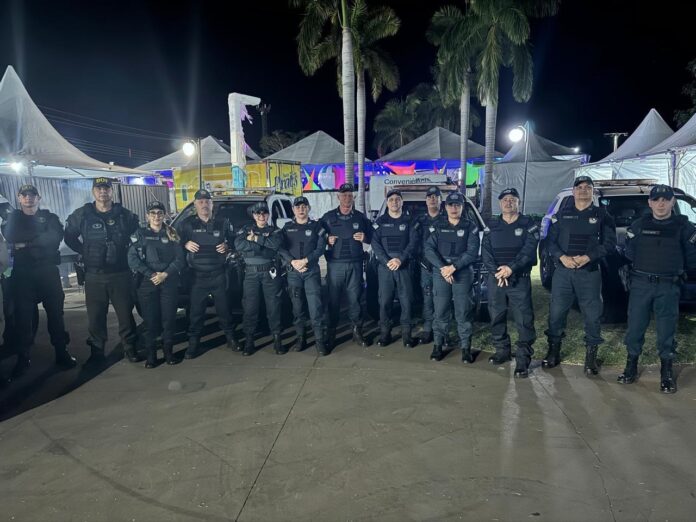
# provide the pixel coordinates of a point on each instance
(364, 434)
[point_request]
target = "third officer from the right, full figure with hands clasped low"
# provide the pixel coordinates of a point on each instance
(509, 253)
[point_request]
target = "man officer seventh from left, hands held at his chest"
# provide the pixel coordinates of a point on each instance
(347, 230)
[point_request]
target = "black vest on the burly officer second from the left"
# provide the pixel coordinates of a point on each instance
(104, 239)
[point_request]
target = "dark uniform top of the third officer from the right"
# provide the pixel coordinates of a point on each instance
(515, 242)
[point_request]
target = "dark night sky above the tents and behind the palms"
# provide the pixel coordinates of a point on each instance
(167, 67)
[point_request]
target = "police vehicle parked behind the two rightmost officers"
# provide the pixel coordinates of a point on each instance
(625, 200)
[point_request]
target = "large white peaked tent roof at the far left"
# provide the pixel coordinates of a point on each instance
(26, 133)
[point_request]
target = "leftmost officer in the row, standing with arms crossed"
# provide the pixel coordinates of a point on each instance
(35, 235)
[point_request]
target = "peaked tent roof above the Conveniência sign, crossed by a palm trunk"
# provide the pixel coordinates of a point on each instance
(437, 143)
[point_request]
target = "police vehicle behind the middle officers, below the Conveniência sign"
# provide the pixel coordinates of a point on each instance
(414, 204)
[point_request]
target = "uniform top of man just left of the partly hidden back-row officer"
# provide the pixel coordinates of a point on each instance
(402, 232)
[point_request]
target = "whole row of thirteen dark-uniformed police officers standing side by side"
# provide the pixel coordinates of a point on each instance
(442, 247)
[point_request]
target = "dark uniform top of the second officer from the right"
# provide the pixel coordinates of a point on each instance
(600, 243)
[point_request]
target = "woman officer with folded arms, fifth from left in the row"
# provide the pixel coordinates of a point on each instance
(258, 243)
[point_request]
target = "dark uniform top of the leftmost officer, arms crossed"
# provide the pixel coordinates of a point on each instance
(39, 236)
